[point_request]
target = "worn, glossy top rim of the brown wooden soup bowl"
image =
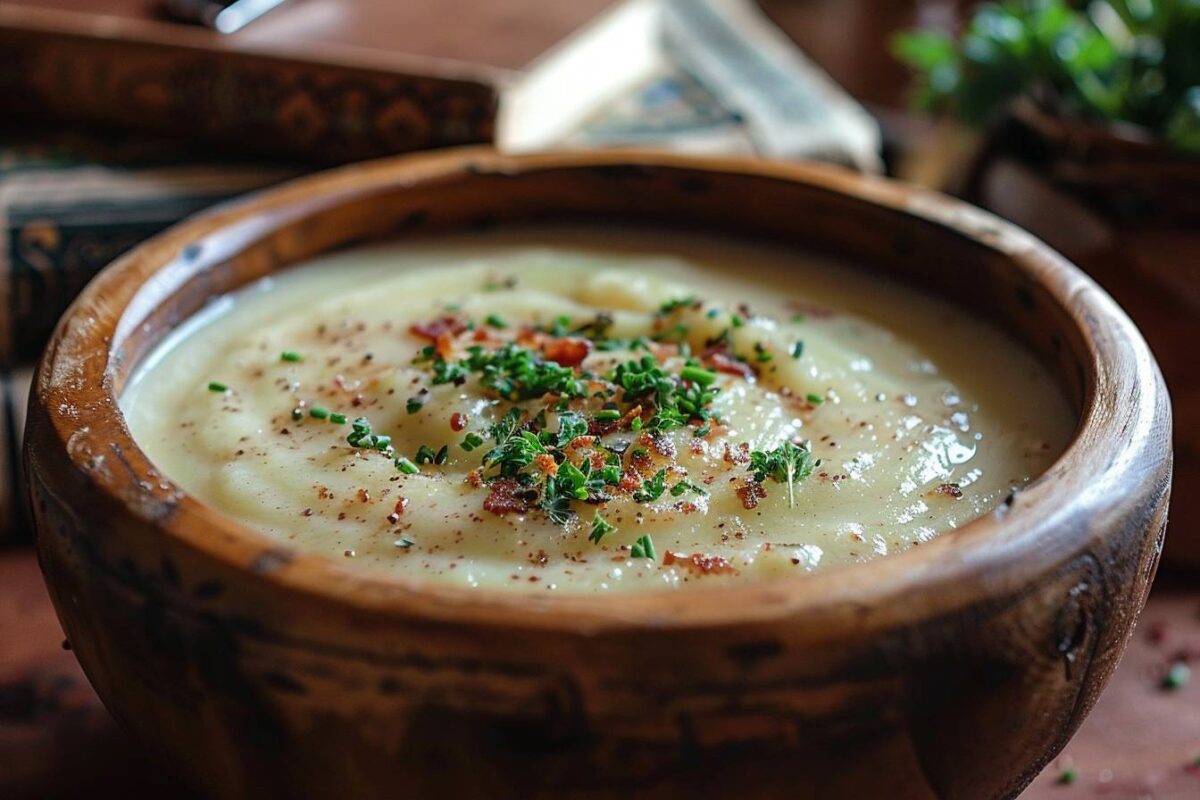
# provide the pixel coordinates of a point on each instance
(995, 554)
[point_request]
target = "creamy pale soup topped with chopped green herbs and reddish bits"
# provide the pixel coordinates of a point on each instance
(593, 412)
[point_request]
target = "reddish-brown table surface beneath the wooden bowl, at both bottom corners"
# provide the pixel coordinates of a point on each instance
(57, 741)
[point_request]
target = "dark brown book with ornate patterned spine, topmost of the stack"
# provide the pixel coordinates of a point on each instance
(320, 111)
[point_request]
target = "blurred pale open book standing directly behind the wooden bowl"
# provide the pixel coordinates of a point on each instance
(697, 76)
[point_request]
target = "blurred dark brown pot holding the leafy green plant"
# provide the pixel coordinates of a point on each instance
(1127, 210)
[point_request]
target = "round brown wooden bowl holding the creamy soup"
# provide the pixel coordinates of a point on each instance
(957, 670)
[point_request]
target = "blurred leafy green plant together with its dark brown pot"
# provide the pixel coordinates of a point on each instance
(1091, 118)
